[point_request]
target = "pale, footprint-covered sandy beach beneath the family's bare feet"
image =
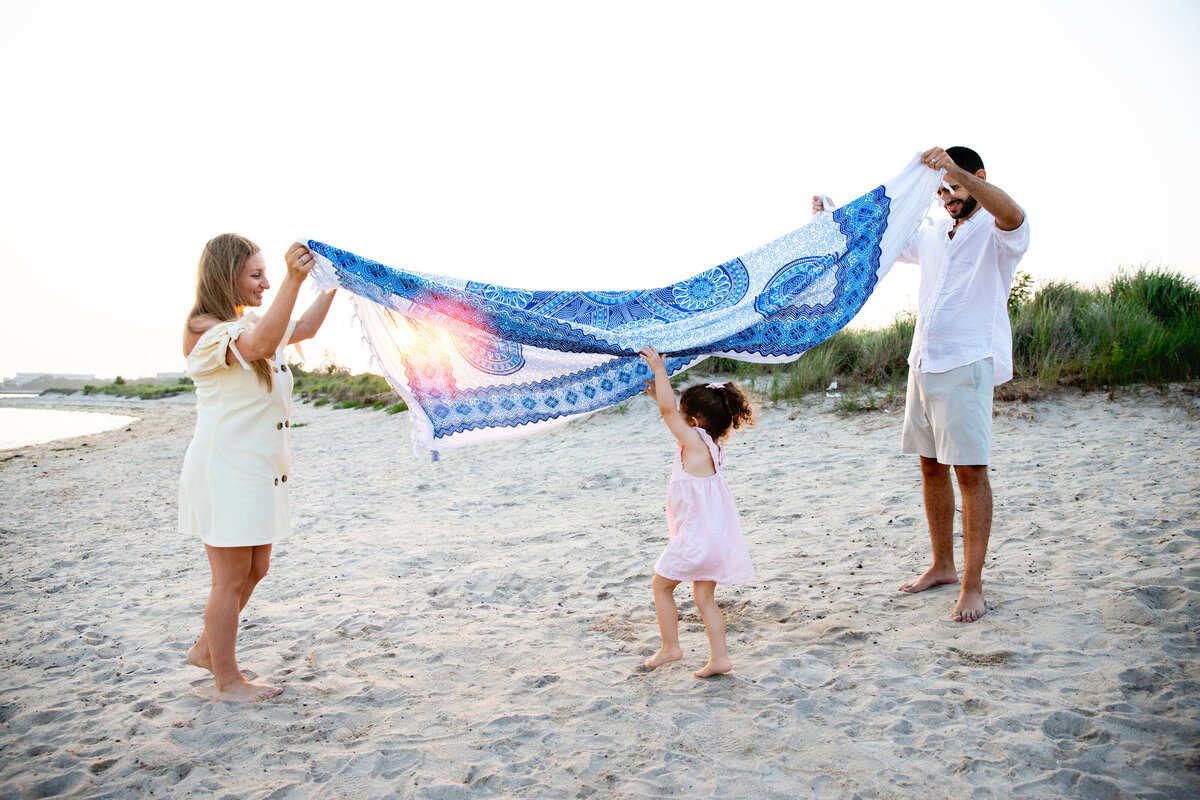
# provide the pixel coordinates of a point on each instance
(476, 628)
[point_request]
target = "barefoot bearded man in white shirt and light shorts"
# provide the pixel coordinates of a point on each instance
(963, 347)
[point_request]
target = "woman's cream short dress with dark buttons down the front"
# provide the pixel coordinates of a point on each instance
(233, 491)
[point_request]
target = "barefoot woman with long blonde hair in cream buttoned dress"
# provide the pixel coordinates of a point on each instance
(235, 489)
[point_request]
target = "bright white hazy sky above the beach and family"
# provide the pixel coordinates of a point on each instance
(599, 146)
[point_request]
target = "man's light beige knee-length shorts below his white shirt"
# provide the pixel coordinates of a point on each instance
(949, 414)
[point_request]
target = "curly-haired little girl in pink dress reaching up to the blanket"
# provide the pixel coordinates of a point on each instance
(706, 544)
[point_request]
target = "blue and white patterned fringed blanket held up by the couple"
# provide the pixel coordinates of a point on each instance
(477, 362)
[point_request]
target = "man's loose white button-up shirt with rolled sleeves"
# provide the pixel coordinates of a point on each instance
(963, 303)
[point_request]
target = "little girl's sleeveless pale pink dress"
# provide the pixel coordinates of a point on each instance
(706, 538)
